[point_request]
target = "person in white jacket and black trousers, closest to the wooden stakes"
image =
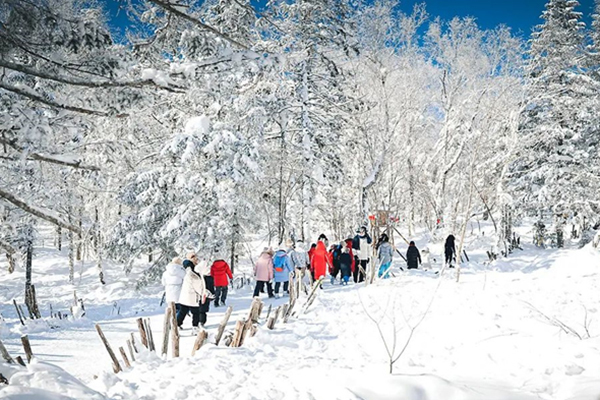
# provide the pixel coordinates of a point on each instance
(193, 292)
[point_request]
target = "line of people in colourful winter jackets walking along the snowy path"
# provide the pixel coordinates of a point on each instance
(192, 284)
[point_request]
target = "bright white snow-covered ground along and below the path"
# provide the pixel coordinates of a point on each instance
(525, 327)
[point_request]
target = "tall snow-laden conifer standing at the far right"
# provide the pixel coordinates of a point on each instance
(552, 170)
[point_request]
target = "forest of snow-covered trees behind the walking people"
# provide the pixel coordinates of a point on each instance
(213, 121)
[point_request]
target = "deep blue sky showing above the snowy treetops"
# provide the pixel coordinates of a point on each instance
(520, 15)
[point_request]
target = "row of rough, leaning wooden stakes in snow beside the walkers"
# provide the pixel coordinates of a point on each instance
(243, 327)
